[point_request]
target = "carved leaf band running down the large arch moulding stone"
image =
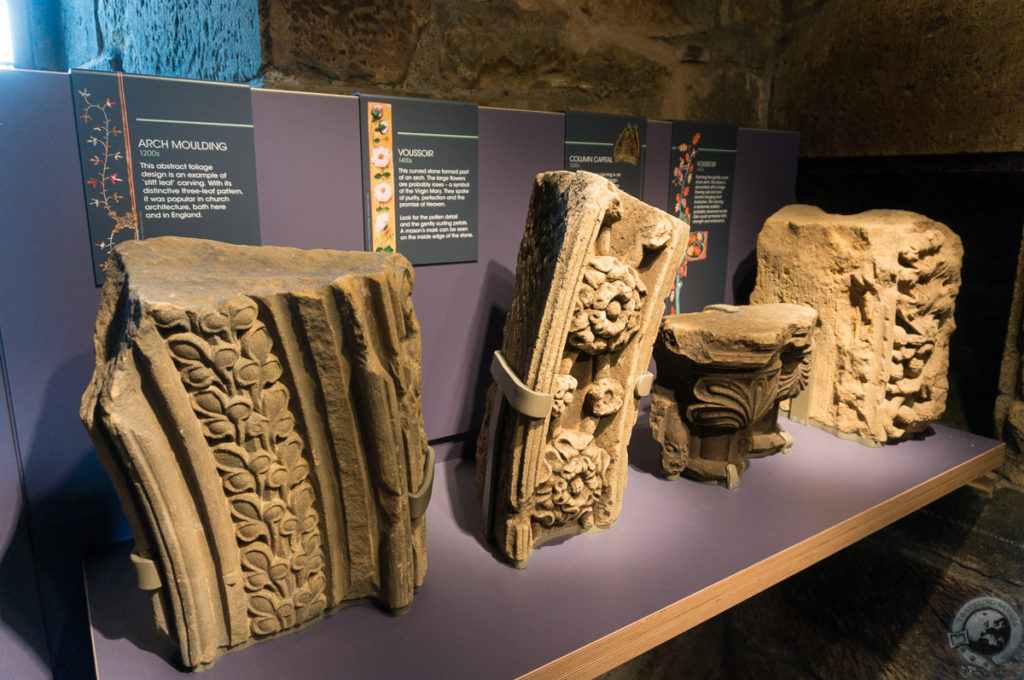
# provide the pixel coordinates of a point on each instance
(233, 379)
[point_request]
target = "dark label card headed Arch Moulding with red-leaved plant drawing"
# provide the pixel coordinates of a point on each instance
(165, 157)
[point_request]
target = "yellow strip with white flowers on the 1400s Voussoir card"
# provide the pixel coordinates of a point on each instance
(382, 178)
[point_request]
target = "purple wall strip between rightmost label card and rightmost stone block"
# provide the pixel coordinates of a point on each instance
(766, 181)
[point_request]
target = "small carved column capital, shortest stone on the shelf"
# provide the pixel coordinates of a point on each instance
(721, 375)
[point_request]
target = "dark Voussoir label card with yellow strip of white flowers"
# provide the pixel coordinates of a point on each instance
(420, 179)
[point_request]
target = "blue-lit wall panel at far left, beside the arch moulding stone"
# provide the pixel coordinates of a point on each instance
(50, 306)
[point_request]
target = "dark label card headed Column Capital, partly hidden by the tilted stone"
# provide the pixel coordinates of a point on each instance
(613, 147)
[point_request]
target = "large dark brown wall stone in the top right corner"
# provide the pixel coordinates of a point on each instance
(876, 77)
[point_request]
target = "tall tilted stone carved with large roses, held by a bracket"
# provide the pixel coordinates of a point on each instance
(594, 268)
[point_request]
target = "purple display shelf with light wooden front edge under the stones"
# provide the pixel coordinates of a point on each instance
(679, 555)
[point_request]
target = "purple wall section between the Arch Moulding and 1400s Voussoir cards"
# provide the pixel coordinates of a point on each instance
(308, 161)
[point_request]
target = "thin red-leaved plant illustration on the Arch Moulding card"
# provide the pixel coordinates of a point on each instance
(110, 162)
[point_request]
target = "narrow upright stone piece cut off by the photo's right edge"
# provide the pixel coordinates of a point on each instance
(1010, 402)
